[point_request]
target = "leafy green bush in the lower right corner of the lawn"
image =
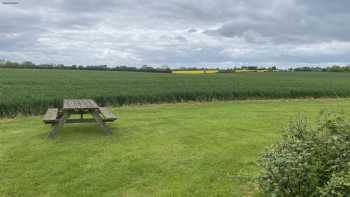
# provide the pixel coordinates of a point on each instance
(309, 161)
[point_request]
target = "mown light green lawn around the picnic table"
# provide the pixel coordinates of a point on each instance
(186, 149)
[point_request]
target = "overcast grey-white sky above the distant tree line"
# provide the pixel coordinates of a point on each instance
(176, 32)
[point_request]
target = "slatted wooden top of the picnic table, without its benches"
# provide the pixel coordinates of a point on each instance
(80, 104)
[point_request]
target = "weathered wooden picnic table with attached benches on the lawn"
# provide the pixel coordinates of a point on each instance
(57, 118)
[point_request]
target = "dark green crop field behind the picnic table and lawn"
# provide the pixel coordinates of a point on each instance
(33, 91)
